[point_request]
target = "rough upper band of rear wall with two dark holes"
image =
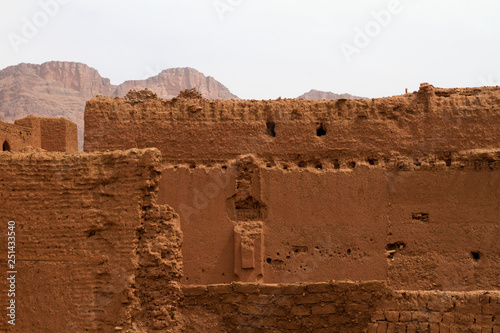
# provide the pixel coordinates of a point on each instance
(191, 128)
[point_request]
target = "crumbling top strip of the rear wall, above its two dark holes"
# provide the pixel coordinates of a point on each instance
(190, 105)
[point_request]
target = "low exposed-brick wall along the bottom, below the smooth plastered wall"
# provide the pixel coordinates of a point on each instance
(336, 307)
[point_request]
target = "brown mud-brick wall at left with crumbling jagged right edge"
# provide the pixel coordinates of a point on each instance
(94, 251)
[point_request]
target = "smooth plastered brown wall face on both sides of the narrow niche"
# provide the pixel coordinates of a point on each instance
(417, 225)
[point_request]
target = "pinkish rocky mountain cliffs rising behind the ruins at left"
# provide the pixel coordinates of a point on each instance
(61, 89)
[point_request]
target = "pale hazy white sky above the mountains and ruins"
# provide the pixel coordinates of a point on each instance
(265, 49)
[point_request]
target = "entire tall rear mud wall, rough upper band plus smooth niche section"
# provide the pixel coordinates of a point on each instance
(402, 189)
